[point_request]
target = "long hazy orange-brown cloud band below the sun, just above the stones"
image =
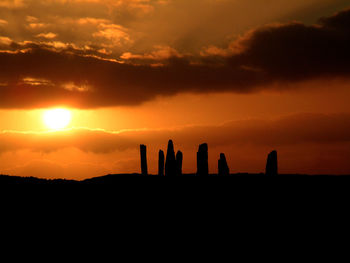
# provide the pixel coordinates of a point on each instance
(287, 131)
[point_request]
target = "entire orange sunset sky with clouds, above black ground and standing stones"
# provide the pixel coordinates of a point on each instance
(247, 77)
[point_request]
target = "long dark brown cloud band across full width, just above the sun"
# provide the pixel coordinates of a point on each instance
(38, 75)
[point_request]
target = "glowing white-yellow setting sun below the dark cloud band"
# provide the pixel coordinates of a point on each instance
(57, 119)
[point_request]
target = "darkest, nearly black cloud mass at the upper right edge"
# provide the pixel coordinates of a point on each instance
(294, 51)
